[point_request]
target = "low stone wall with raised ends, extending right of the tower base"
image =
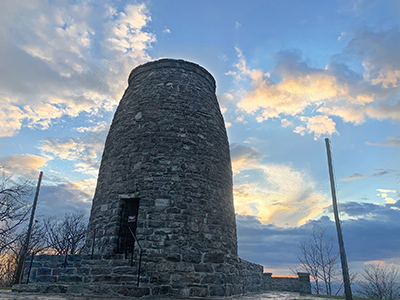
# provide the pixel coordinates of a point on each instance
(300, 284)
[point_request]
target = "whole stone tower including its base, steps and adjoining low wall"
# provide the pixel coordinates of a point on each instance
(165, 176)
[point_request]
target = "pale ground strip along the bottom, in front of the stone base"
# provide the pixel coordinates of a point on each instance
(8, 295)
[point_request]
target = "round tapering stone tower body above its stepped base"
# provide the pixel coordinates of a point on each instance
(165, 173)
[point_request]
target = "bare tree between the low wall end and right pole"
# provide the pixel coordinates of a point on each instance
(316, 257)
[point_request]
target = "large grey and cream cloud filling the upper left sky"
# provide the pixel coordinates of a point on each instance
(51, 64)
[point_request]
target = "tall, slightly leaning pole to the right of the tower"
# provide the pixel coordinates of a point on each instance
(343, 259)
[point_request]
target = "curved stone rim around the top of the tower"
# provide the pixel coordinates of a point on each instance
(172, 63)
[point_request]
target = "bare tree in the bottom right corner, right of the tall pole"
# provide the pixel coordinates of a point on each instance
(381, 281)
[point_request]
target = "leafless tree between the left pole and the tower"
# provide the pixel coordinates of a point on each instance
(66, 236)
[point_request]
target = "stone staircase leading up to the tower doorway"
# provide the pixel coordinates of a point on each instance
(83, 274)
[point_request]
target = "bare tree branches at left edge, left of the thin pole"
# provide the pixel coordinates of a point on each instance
(13, 208)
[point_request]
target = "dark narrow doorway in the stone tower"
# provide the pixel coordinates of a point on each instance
(129, 221)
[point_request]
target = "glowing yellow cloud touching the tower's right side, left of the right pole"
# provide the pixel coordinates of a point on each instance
(279, 195)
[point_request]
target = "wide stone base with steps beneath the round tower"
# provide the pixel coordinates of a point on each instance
(195, 275)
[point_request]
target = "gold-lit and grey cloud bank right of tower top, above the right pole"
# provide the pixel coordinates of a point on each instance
(313, 95)
